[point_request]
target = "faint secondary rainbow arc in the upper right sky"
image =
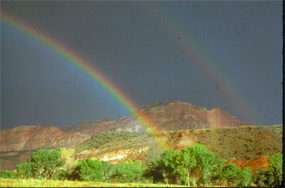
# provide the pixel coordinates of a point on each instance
(210, 66)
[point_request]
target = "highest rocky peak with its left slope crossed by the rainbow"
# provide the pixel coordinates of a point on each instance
(170, 115)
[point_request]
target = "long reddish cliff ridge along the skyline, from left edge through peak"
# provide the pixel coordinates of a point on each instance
(173, 115)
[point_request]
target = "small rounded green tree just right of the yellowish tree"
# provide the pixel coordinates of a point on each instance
(89, 170)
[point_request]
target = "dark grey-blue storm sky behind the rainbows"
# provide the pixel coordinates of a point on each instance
(142, 47)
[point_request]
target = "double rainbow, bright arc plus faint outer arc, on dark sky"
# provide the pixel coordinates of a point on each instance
(209, 66)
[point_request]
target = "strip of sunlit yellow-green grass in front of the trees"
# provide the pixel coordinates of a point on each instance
(67, 183)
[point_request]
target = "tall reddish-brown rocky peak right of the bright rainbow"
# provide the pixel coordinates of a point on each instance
(175, 115)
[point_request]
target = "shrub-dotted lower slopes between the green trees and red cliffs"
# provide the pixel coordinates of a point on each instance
(241, 143)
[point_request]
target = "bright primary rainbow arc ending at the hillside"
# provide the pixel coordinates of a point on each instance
(85, 67)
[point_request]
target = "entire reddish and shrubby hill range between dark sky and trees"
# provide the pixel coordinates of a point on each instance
(175, 124)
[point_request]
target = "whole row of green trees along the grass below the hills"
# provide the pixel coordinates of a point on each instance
(191, 166)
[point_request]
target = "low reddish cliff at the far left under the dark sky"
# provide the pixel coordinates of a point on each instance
(37, 137)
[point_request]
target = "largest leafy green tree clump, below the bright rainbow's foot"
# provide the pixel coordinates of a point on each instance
(192, 165)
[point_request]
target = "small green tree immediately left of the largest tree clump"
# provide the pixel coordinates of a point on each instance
(130, 171)
